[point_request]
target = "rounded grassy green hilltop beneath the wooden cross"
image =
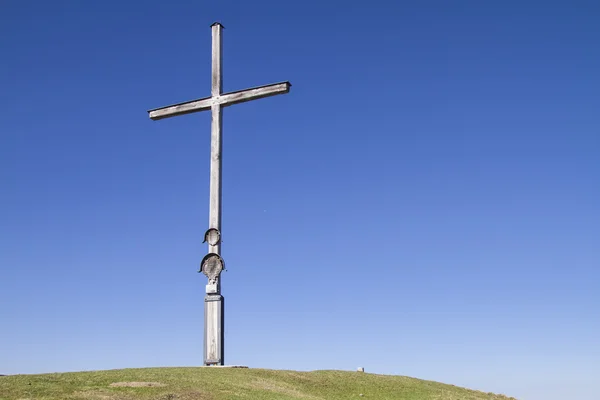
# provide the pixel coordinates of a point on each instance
(227, 383)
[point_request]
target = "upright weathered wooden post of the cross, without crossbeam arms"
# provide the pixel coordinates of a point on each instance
(214, 322)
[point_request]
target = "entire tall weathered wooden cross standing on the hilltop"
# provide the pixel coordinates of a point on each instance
(212, 263)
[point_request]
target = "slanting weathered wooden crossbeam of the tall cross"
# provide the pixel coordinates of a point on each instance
(224, 100)
